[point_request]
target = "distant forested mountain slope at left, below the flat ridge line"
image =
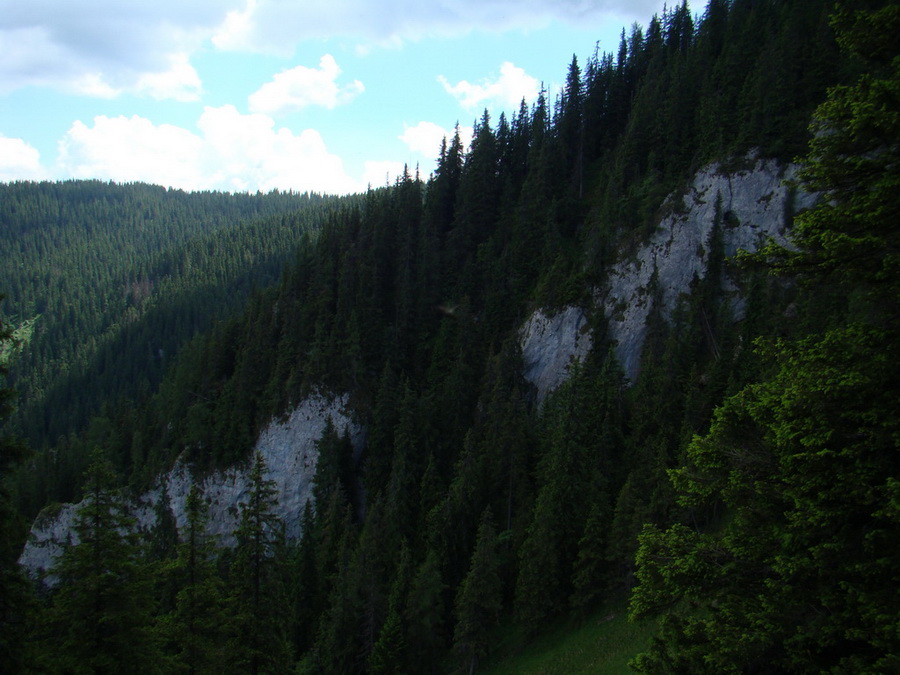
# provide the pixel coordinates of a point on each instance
(105, 282)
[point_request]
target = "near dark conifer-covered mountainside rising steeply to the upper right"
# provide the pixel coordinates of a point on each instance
(461, 503)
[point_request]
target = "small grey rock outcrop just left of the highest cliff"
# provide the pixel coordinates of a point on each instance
(550, 343)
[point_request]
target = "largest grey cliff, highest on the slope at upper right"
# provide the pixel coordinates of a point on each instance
(754, 205)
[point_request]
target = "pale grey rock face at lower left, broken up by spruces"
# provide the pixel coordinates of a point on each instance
(289, 450)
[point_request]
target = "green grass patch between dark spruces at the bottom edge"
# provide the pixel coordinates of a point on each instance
(603, 643)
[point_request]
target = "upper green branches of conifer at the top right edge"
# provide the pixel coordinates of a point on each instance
(851, 239)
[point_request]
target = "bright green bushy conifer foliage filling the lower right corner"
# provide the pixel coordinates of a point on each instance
(803, 463)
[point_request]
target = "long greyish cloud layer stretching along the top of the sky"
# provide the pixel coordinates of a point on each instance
(107, 47)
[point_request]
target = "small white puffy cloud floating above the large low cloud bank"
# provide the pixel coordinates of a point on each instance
(299, 87)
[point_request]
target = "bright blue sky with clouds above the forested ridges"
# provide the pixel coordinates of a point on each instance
(328, 96)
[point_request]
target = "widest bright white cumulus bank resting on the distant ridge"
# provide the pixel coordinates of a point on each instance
(232, 151)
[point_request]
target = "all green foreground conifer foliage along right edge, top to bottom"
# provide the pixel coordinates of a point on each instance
(804, 462)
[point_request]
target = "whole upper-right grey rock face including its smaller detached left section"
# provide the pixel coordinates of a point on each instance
(752, 205)
